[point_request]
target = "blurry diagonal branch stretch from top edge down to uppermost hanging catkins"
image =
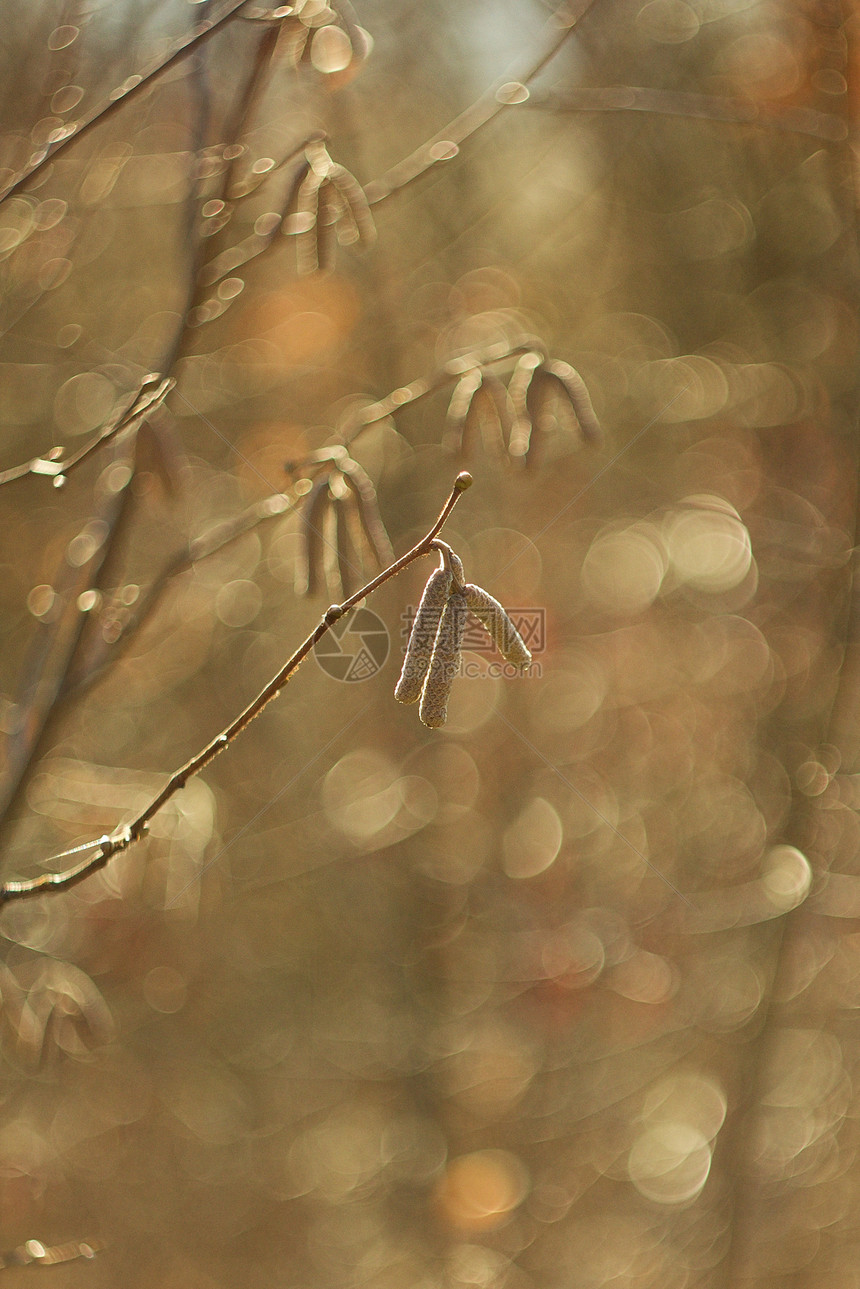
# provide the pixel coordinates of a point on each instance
(505, 92)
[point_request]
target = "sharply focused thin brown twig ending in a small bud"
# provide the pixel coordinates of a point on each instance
(131, 833)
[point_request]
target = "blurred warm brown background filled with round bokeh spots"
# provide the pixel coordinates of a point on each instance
(564, 996)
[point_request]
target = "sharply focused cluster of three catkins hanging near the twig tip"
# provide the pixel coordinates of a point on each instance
(434, 650)
